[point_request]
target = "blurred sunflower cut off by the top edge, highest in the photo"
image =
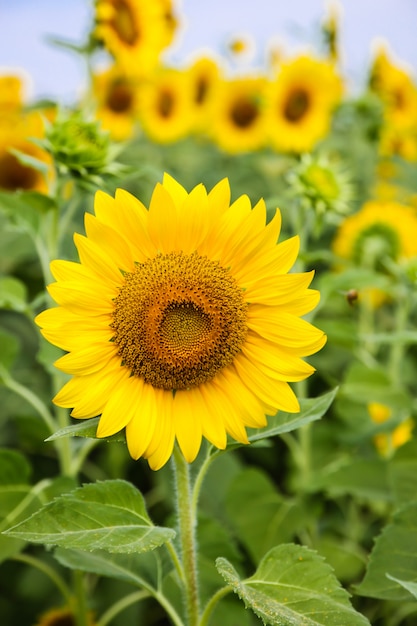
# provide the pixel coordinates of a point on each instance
(133, 31)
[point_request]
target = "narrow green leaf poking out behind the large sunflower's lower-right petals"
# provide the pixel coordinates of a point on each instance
(312, 409)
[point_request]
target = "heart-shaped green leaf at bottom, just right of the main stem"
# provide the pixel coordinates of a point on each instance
(293, 586)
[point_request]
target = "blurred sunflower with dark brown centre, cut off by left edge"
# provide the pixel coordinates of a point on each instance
(16, 130)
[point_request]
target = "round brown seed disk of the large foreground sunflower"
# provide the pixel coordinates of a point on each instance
(178, 320)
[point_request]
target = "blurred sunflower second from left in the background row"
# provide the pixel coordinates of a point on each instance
(166, 110)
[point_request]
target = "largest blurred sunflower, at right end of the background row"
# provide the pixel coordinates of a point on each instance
(300, 102)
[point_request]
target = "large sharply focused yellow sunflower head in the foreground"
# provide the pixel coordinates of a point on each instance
(180, 321)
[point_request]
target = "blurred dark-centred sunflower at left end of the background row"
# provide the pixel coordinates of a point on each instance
(117, 96)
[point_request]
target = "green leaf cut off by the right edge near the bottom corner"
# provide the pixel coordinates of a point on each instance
(393, 557)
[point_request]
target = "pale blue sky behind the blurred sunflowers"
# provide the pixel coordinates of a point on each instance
(24, 25)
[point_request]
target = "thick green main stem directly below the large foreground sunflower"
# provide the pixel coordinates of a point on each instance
(186, 526)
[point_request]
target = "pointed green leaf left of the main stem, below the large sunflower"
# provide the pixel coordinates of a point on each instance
(108, 515)
